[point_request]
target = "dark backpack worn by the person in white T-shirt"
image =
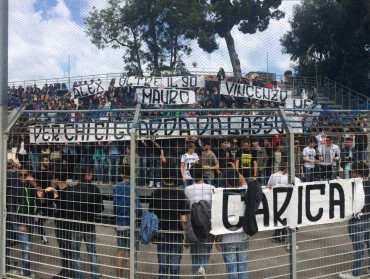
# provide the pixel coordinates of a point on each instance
(199, 226)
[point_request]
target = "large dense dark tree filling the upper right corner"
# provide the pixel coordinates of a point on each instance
(332, 37)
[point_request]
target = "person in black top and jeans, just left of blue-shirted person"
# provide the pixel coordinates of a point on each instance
(86, 203)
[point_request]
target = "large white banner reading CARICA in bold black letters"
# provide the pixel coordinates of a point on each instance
(304, 204)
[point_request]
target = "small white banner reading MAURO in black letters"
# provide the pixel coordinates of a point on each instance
(165, 96)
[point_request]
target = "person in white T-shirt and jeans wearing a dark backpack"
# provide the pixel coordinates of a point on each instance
(200, 253)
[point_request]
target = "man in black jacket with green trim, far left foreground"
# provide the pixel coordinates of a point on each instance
(24, 196)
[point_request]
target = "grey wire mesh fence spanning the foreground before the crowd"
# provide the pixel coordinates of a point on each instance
(153, 142)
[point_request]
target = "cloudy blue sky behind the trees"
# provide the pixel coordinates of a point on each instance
(47, 40)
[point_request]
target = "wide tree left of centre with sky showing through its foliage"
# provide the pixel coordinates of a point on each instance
(154, 33)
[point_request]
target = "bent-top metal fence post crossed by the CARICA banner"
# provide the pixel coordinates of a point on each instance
(291, 174)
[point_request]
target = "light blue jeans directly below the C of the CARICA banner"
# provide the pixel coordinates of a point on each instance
(235, 257)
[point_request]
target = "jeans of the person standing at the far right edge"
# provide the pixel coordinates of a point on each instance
(359, 232)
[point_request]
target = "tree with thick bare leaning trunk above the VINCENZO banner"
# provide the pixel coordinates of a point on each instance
(249, 16)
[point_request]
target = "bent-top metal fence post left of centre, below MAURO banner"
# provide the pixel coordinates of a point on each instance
(133, 164)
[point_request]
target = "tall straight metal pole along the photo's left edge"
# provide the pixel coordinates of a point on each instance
(4, 13)
